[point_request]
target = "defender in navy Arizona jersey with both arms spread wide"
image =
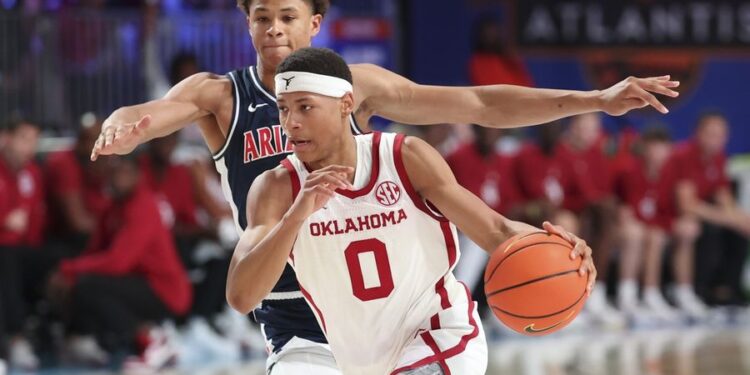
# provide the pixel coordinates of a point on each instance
(238, 117)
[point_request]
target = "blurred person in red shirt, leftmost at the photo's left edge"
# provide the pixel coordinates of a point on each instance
(21, 223)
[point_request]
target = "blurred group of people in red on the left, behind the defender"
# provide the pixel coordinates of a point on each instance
(96, 255)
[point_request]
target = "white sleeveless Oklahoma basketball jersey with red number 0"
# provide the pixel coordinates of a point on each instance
(375, 264)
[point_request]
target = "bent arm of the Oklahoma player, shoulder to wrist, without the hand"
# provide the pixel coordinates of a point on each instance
(262, 252)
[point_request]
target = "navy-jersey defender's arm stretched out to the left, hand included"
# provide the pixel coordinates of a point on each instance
(192, 99)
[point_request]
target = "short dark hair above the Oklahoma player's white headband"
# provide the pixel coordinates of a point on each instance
(316, 60)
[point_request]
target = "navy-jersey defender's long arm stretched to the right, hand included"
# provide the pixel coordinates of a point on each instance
(389, 95)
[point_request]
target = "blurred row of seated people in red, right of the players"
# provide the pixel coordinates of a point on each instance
(669, 239)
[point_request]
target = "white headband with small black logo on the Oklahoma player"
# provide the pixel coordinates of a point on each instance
(311, 82)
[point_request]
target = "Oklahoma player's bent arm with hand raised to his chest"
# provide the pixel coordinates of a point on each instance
(273, 222)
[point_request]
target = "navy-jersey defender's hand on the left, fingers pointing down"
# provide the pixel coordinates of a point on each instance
(120, 138)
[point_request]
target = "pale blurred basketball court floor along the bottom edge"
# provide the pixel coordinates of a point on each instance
(718, 348)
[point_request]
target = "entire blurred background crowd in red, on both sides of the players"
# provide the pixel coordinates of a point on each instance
(95, 257)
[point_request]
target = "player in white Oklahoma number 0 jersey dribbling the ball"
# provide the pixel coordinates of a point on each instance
(367, 223)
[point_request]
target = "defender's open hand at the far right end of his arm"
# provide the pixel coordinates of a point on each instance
(633, 93)
